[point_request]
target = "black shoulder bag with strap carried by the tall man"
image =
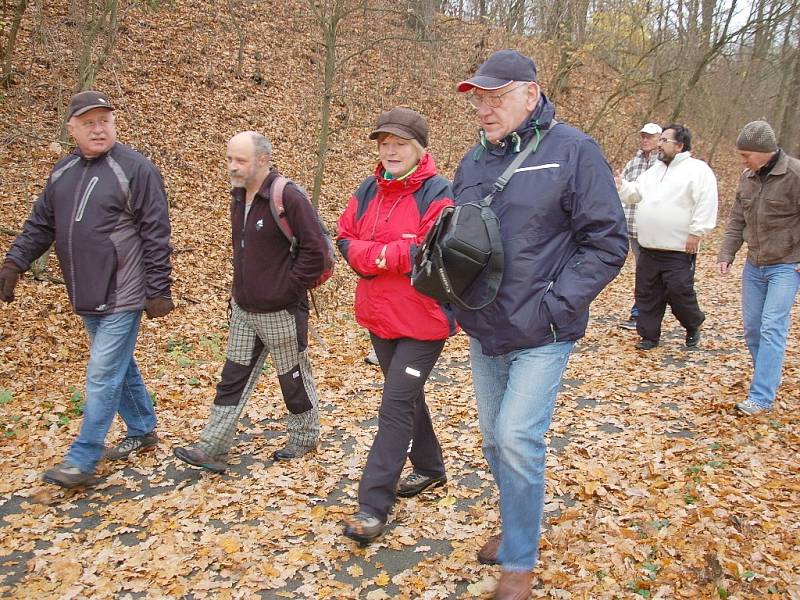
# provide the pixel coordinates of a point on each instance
(465, 241)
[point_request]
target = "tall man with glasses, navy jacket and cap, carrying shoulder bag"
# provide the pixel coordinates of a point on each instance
(564, 239)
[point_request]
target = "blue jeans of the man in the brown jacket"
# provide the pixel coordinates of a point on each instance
(768, 294)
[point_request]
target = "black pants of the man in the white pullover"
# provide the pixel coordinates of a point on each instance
(665, 277)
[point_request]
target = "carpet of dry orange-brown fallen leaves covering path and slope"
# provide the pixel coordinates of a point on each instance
(656, 489)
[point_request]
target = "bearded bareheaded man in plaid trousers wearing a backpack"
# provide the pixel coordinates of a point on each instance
(269, 307)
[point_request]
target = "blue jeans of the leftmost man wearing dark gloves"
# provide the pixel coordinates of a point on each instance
(113, 384)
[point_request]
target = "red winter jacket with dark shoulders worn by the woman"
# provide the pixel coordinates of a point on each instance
(396, 213)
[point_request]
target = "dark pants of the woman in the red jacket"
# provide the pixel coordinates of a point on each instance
(404, 423)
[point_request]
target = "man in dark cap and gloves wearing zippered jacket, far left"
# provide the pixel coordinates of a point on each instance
(105, 207)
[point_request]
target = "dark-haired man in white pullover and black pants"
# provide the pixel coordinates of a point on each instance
(676, 206)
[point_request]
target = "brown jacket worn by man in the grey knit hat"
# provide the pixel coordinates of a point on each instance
(766, 215)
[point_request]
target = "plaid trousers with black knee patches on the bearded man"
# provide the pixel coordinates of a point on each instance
(251, 337)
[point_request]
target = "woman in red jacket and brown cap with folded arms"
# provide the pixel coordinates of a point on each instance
(384, 223)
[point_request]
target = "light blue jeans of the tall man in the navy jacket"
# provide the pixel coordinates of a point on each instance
(516, 394)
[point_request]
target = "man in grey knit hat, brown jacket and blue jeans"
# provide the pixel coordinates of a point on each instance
(766, 215)
